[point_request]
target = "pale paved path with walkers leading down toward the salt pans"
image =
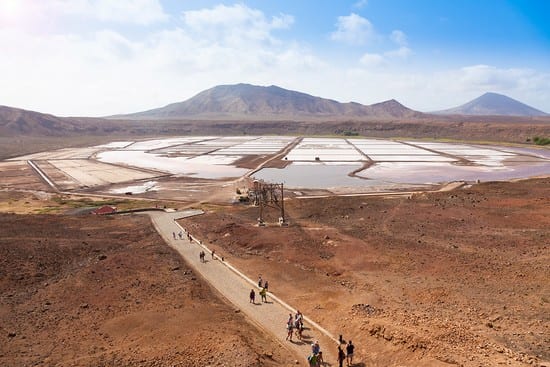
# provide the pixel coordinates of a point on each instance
(235, 287)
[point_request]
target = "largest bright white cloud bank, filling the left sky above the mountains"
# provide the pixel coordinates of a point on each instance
(107, 72)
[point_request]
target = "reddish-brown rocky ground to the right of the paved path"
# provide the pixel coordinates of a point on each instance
(439, 278)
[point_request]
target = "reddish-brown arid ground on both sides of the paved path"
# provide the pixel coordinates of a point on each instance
(431, 279)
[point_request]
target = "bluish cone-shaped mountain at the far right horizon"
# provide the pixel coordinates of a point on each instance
(494, 104)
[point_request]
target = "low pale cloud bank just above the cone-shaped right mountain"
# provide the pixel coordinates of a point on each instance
(431, 91)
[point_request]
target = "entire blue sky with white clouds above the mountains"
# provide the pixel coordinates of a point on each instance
(105, 57)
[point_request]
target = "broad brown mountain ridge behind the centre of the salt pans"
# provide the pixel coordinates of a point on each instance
(245, 100)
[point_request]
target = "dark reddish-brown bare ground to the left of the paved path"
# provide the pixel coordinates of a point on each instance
(106, 291)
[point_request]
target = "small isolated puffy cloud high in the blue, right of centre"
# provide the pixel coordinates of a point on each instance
(353, 29)
